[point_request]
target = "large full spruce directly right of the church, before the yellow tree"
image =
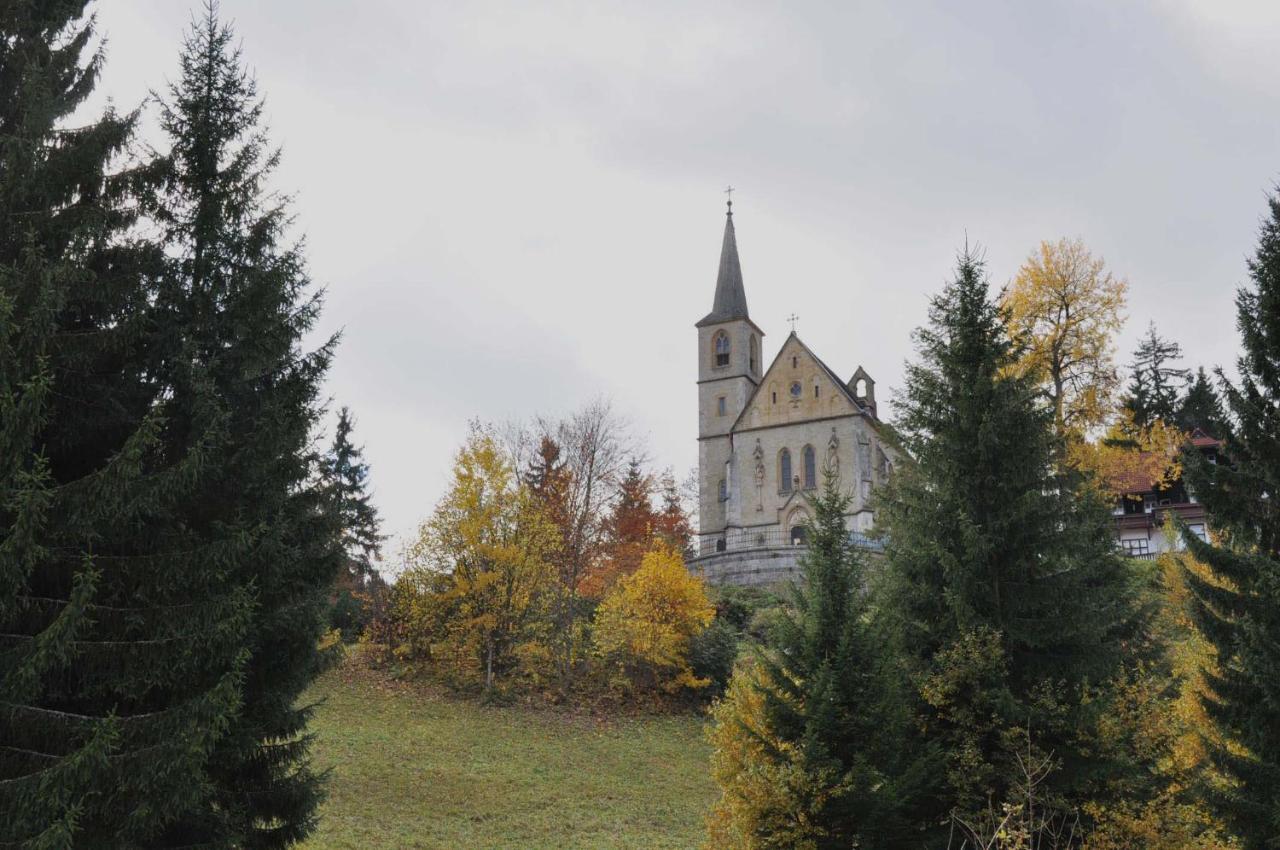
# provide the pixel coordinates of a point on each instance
(1003, 593)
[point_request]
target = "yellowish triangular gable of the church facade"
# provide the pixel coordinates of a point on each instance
(798, 387)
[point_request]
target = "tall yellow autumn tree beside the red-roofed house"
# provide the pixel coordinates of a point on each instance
(1064, 308)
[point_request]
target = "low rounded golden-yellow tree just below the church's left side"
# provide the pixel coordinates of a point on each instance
(647, 621)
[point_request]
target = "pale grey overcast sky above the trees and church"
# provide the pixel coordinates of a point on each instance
(518, 208)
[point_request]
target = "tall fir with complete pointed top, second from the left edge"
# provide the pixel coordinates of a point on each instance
(241, 304)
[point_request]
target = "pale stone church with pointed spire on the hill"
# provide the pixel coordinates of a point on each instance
(766, 438)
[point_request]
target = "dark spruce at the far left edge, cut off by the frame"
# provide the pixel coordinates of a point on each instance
(122, 647)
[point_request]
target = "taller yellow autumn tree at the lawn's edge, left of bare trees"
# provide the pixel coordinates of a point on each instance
(481, 572)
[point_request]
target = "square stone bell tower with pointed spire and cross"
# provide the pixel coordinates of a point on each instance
(729, 371)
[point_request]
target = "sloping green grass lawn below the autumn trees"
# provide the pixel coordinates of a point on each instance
(417, 770)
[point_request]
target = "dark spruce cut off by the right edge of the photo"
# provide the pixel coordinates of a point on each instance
(1241, 613)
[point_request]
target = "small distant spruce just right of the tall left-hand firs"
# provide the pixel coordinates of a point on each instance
(348, 479)
